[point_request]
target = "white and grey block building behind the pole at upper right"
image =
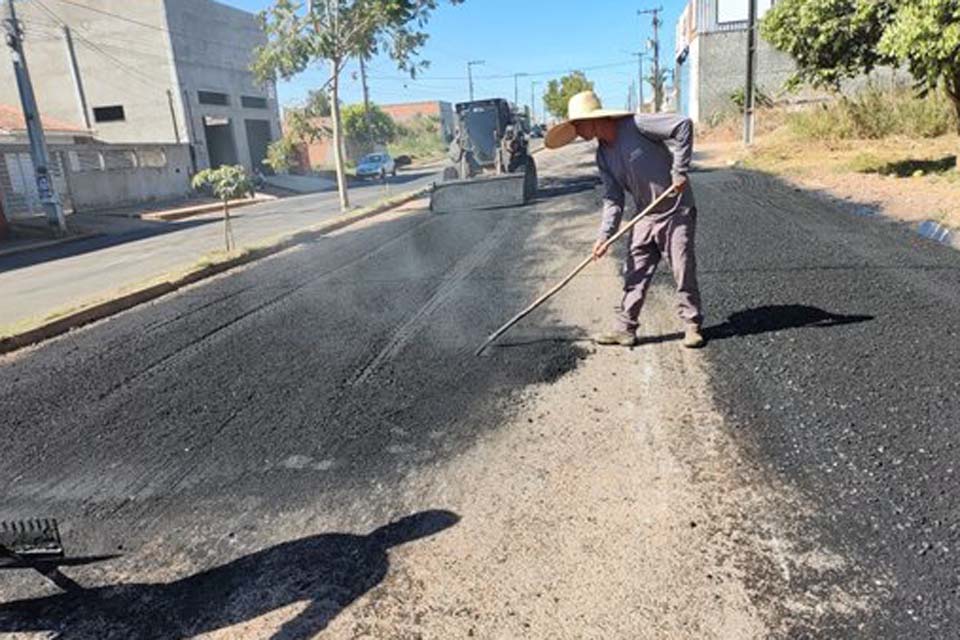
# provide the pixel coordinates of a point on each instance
(711, 57)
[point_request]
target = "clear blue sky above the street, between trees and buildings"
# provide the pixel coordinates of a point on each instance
(512, 36)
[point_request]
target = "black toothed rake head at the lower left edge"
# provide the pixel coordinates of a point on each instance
(36, 544)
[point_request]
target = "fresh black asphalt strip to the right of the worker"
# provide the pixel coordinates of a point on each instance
(841, 375)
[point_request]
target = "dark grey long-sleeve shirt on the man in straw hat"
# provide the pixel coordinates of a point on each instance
(650, 151)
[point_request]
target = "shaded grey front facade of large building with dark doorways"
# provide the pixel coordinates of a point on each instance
(213, 46)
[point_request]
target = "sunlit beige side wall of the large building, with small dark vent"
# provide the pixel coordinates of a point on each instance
(120, 63)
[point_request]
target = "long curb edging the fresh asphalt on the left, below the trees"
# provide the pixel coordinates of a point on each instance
(112, 307)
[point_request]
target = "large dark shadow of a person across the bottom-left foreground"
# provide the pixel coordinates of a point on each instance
(325, 573)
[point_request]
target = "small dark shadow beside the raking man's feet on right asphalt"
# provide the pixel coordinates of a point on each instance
(766, 319)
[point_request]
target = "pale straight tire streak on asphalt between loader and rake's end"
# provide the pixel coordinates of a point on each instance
(461, 271)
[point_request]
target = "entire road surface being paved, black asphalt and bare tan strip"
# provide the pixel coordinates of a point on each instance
(259, 437)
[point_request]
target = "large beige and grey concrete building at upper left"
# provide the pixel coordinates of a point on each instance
(150, 71)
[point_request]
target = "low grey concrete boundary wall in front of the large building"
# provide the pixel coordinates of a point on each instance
(104, 188)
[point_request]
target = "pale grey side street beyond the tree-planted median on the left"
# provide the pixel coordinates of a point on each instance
(125, 253)
